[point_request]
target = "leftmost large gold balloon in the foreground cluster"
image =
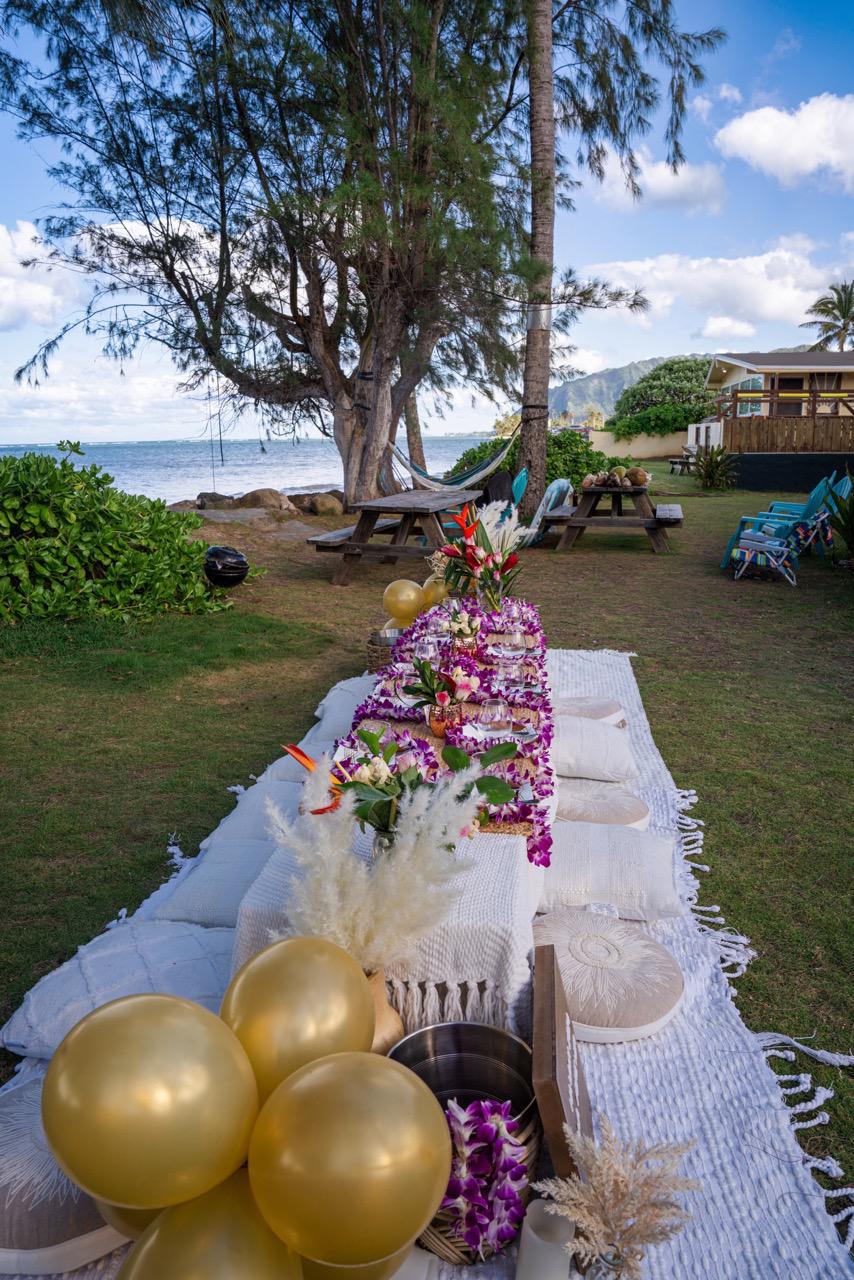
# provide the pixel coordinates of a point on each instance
(149, 1101)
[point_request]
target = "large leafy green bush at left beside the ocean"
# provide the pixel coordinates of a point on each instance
(74, 546)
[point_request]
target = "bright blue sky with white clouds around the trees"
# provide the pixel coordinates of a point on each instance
(730, 253)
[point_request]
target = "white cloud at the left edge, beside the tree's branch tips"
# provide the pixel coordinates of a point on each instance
(31, 295)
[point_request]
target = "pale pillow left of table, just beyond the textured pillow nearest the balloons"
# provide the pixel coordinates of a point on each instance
(212, 892)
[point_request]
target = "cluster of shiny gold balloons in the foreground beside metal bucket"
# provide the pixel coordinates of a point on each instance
(263, 1145)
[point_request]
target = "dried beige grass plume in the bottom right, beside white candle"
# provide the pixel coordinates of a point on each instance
(623, 1200)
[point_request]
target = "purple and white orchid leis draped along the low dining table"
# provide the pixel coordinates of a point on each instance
(537, 781)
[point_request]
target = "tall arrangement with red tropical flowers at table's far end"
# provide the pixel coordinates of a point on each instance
(486, 555)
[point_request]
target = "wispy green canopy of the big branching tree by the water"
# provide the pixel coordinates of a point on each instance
(322, 205)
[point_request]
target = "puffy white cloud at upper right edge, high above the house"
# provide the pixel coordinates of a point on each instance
(812, 139)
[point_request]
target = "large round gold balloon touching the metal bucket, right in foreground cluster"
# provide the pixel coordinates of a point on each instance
(350, 1159)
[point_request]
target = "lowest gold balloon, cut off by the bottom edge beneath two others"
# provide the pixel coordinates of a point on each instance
(220, 1236)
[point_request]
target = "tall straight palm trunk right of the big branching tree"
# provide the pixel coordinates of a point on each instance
(541, 76)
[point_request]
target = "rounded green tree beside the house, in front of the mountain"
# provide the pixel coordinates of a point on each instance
(677, 386)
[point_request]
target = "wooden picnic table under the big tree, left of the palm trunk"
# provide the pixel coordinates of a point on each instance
(413, 514)
